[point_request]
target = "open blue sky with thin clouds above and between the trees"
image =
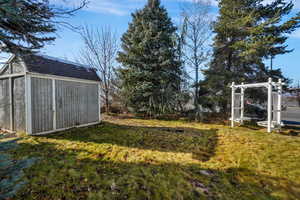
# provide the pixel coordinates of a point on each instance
(117, 15)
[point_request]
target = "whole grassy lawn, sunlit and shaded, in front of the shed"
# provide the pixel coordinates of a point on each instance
(151, 159)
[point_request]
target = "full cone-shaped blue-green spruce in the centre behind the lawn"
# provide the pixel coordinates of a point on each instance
(151, 68)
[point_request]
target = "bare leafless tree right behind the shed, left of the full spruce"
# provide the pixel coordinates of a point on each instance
(99, 51)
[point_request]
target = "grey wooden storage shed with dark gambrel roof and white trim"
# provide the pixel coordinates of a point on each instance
(41, 94)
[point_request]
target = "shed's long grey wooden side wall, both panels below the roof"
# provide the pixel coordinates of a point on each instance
(76, 103)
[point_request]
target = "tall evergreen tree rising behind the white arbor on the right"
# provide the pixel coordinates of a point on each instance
(247, 33)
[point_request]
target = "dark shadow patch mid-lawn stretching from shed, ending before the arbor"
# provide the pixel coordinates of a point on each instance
(201, 143)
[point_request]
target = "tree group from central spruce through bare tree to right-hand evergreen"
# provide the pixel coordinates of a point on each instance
(156, 55)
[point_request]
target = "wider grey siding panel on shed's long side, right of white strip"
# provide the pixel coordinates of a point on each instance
(76, 103)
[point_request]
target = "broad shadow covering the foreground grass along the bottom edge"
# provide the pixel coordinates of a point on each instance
(76, 174)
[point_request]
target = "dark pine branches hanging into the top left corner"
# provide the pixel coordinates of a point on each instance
(25, 25)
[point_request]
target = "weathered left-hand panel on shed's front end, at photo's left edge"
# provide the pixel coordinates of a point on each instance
(4, 104)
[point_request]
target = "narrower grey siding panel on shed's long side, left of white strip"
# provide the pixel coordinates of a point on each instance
(41, 104)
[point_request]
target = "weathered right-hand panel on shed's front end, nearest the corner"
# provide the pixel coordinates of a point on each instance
(19, 113)
